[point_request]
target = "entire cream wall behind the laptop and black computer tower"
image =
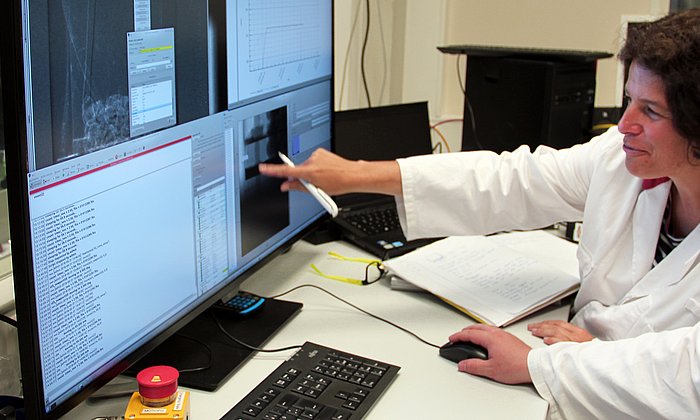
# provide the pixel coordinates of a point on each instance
(403, 65)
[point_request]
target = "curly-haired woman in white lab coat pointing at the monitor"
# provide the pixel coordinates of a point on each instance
(633, 346)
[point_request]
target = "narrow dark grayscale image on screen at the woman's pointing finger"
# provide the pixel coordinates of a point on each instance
(264, 208)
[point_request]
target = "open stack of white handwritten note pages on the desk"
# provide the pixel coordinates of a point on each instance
(486, 278)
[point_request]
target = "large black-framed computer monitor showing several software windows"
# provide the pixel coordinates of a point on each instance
(134, 129)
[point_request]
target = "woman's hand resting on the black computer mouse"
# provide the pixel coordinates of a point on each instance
(507, 362)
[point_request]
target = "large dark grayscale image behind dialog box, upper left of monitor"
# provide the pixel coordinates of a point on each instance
(80, 90)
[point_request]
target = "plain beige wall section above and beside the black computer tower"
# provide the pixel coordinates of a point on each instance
(568, 24)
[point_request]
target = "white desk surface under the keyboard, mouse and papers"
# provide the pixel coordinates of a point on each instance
(427, 385)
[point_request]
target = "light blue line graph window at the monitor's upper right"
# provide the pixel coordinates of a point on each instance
(276, 46)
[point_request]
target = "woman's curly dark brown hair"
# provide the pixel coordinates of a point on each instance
(670, 47)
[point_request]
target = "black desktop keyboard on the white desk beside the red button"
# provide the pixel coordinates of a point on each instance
(317, 383)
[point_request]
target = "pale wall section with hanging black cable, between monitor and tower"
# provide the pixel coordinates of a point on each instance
(402, 63)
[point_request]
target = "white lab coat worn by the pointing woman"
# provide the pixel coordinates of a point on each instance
(626, 373)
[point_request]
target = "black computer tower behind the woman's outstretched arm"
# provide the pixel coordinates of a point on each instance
(511, 101)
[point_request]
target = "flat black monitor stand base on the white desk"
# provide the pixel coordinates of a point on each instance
(201, 344)
